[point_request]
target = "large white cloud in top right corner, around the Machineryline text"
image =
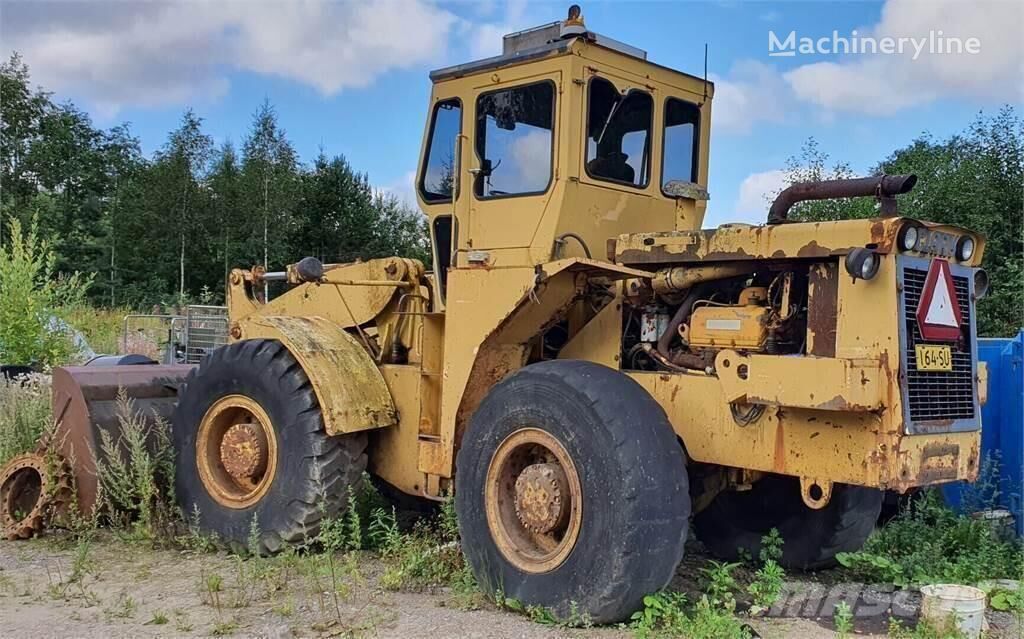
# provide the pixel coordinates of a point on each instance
(884, 84)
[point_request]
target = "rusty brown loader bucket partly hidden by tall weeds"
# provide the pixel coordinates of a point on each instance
(86, 404)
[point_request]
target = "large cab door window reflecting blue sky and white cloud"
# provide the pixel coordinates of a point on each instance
(515, 139)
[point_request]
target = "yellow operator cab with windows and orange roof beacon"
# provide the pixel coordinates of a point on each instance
(567, 141)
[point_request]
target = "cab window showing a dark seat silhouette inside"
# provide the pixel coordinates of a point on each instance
(619, 135)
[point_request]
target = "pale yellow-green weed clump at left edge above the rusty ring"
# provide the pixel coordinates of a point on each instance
(25, 414)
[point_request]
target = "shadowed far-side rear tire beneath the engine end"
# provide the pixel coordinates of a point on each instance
(734, 525)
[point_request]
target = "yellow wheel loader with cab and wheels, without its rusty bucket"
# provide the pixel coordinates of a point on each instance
(586, 369)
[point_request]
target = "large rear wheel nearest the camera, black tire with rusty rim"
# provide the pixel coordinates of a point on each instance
(587, 458)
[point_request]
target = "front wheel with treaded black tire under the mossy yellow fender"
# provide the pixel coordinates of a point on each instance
(250, 448)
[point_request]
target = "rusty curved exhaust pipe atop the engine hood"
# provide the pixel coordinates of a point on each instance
(885, 188)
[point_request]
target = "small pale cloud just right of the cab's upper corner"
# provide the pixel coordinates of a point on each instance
(752, 93)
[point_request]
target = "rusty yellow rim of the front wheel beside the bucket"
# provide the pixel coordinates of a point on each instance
(237, 452)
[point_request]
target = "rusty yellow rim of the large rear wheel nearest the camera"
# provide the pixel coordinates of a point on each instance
(534, 501)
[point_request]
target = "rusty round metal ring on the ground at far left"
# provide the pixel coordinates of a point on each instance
(35, 490)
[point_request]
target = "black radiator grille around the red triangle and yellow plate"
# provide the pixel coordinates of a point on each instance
(938, 396)
